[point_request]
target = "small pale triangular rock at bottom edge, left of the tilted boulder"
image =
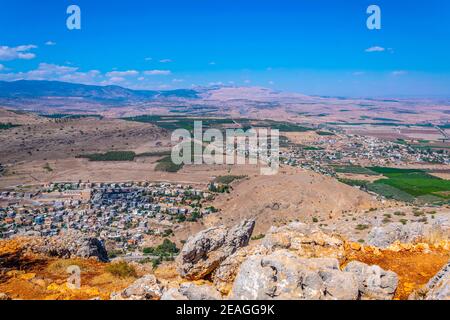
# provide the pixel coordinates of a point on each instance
(145, 288)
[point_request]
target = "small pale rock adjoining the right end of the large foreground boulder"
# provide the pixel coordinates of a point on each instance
(374, 282)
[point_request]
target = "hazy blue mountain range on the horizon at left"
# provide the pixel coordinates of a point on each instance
(32, 89)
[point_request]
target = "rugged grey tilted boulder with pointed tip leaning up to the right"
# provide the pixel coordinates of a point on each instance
(204, 252)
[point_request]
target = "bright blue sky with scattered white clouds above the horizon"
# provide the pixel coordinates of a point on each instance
(310, 46)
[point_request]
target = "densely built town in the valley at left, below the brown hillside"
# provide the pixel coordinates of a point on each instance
(120, 213)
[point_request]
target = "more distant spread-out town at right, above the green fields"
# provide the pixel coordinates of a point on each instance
(320, 155)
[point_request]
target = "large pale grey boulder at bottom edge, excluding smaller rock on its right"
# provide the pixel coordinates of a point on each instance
(283, 275)
